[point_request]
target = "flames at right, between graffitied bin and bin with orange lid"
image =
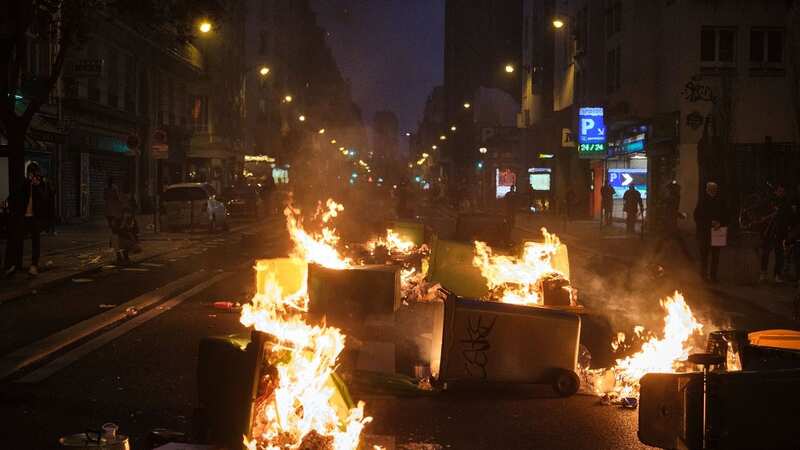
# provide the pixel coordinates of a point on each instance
(666, 353)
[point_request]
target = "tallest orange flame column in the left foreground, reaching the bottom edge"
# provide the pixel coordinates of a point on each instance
(302, 405)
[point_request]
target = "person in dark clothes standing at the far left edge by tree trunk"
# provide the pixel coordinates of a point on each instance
(27, 206)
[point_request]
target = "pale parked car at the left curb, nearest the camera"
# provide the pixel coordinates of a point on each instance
(192, 205)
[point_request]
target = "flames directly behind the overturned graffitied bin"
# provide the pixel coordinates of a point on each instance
(518, 280)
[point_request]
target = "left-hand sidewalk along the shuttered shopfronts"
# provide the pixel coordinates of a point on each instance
(79, 249)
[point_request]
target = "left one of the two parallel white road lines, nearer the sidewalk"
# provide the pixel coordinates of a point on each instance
(39, 350)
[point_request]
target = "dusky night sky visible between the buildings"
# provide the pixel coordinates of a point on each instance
(391, 50)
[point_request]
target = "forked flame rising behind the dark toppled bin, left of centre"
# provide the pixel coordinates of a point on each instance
(318, 248)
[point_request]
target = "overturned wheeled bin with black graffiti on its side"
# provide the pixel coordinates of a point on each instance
(488, 342)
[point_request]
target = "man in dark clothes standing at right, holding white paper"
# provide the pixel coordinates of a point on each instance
(709, 214)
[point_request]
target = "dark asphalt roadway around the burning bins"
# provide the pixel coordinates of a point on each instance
(145, 378)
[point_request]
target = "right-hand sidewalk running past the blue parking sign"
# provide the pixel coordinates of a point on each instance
(738, 271)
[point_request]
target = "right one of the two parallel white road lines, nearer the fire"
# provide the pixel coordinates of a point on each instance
(73, 355)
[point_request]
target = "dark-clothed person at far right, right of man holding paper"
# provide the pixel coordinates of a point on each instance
(774, 235)
